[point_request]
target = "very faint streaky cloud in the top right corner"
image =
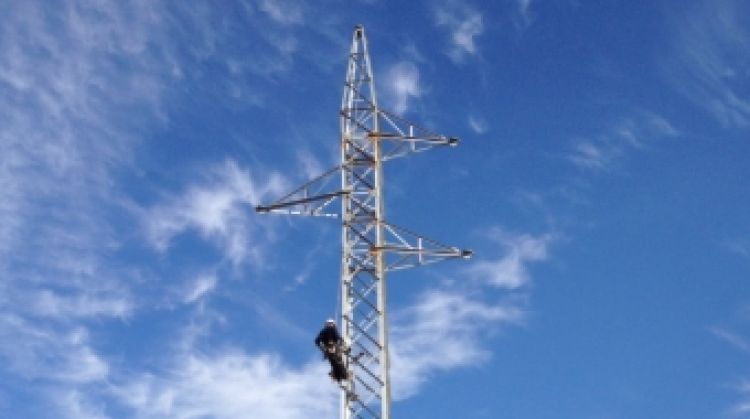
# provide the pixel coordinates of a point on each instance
(709, 58)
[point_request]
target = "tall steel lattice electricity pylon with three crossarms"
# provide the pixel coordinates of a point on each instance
(371, 245)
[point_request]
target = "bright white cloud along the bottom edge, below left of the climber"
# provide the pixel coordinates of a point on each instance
(232, 384)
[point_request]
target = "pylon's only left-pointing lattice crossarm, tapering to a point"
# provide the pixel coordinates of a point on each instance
(312, 199)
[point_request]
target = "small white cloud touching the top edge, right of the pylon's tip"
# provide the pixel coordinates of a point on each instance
(464, 24)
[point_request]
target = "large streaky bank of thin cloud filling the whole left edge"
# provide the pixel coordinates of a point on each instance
(67, 106)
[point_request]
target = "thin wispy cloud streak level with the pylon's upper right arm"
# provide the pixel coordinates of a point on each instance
(602, 152)
